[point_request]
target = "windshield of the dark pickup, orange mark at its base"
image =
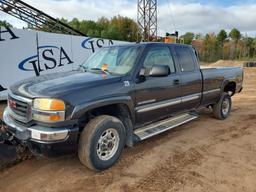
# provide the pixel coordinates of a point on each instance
(113, 60)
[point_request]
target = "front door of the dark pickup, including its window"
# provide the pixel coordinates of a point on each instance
(157, 96)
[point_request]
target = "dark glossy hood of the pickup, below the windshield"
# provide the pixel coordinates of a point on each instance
(58, 84)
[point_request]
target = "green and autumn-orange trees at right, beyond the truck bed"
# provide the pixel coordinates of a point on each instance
(228, 46)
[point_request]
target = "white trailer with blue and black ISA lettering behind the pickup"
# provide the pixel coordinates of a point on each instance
(28, 53)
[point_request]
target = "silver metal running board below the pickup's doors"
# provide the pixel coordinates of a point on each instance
(162, 126)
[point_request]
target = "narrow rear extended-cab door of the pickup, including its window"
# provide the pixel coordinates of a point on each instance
(191, 78)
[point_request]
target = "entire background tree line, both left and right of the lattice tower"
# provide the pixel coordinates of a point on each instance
(211, 47)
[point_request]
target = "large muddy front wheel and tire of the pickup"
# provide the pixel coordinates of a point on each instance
(101, 142)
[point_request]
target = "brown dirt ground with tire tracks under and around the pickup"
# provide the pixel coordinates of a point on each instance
(203, 155)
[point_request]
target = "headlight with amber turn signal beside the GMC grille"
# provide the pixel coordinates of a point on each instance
(48, 110)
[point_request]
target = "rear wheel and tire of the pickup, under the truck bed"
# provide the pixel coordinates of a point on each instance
(221, 110)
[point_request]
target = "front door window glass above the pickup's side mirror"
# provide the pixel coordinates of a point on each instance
(159, 56)
